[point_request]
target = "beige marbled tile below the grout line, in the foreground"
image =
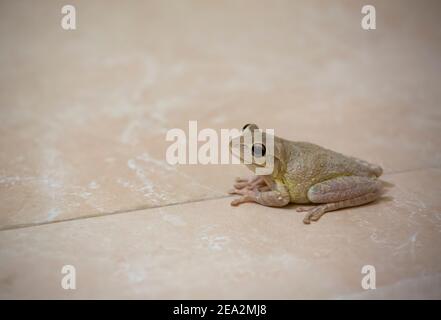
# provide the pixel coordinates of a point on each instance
(208, 249)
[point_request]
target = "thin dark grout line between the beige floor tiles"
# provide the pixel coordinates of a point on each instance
(141, 208)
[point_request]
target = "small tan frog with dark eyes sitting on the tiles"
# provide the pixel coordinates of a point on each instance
(318, 179)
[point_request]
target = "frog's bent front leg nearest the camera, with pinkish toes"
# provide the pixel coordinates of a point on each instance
(277, 196)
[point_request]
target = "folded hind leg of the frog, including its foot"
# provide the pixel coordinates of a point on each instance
(338, 193)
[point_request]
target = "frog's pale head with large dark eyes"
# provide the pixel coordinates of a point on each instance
(258, 149)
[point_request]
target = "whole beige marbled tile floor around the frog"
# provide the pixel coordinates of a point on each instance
(83, 179)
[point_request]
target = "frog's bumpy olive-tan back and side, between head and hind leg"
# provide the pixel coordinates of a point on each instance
(308, 164)
